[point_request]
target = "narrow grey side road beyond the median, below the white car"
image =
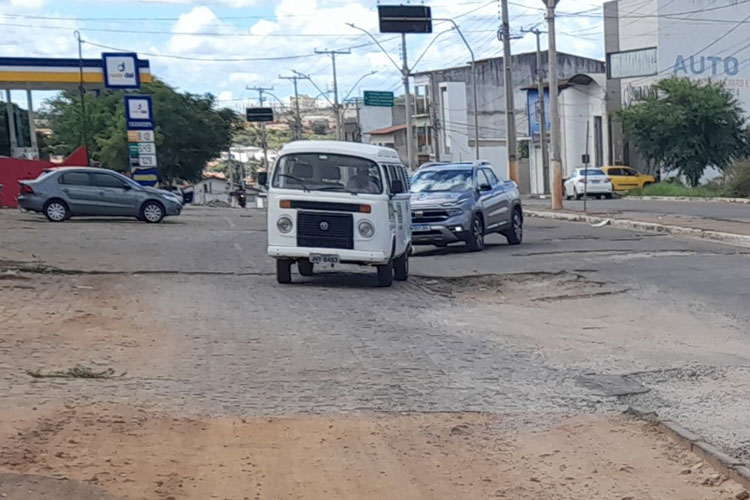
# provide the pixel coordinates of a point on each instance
(723, 212)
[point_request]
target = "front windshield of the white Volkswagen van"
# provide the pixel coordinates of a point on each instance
(328, 172)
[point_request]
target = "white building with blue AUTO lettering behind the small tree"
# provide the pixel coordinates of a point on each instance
(649, 40)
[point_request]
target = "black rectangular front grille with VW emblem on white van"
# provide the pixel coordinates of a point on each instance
(325, 230)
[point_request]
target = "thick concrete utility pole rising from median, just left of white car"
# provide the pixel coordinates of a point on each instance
(556, 163)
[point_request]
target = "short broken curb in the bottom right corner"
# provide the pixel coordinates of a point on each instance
(731, 467)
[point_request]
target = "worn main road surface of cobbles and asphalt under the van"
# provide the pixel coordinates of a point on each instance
(576, 320)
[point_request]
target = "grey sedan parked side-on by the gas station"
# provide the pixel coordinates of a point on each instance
(66, 192)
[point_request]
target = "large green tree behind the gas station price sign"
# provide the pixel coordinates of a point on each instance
(189, 131)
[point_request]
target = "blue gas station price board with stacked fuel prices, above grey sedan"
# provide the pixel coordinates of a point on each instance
(139, 119)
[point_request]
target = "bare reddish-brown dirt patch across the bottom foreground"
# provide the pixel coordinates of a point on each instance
(133, 452)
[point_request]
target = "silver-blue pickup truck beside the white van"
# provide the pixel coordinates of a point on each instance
(463, 202)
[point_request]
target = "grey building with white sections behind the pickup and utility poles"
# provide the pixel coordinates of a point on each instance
(444, 108)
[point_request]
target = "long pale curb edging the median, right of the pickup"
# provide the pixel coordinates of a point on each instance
(635, 225)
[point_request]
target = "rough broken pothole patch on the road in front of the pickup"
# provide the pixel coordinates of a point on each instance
(521, 288)
